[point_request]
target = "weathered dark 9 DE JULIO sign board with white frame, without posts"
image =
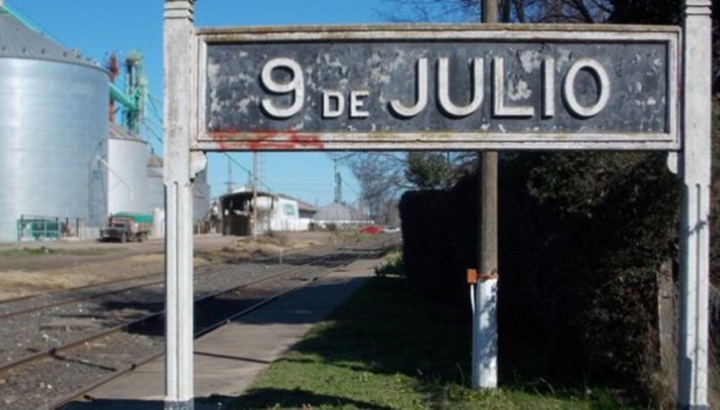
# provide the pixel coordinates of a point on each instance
(438, 87)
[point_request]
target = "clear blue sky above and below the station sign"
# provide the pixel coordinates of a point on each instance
(98, 27)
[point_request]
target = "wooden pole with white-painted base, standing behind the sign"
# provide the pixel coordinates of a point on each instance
(484, 351)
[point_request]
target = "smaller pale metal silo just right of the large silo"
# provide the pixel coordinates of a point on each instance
(127, 177)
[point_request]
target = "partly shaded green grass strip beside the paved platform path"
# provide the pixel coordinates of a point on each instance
(388, 348)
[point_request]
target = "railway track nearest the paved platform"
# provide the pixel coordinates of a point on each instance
(51, 377)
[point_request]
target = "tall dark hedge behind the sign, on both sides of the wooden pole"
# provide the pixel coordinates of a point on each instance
(582, 239)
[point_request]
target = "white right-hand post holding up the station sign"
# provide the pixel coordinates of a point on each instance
(694, 222)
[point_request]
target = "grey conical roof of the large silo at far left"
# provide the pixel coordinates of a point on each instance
(19, 41)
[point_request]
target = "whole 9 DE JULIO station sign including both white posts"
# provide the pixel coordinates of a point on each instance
(415, 87)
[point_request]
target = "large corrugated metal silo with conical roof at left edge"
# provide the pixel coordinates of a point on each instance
(53, 131)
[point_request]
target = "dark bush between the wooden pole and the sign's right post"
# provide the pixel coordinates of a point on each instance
(593, 229)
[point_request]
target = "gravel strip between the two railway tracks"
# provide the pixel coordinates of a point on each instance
(31, 332)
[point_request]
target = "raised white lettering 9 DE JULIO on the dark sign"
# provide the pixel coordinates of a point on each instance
(335, 103)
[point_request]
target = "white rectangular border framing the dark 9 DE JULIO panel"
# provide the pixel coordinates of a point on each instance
(446, 139)
